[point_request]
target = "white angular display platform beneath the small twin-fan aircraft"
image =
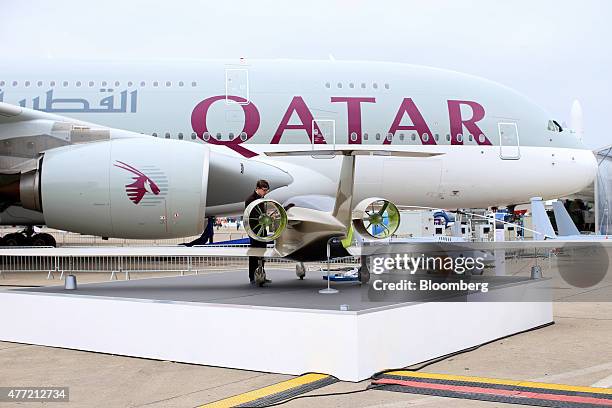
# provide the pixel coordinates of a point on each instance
(249, 328)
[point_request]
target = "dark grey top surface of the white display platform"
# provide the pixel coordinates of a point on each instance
(232, 288)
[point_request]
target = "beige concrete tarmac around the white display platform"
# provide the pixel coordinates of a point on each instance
(576, 350)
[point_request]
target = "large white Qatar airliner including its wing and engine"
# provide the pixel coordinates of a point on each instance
(76, 145)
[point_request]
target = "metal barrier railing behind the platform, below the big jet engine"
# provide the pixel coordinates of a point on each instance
(119, 260)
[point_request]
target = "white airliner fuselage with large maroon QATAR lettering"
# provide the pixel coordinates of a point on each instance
(498, 147)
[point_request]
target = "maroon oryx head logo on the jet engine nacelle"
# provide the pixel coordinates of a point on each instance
(143, 188)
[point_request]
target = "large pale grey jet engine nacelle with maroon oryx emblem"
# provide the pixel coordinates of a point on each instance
(125, 188)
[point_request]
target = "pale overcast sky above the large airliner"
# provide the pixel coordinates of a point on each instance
(552, 51)
